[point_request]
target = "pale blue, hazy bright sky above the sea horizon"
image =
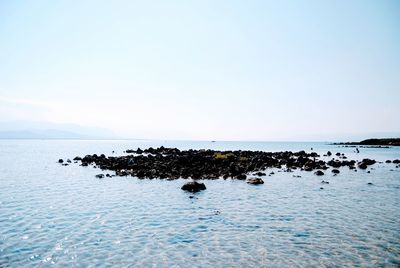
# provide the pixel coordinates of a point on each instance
(204, 70)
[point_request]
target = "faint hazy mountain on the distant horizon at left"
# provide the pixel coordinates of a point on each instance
(49, 130)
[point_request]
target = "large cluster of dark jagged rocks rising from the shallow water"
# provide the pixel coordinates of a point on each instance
(172, 163)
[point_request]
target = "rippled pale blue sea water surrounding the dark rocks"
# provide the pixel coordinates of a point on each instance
(51, 215)
